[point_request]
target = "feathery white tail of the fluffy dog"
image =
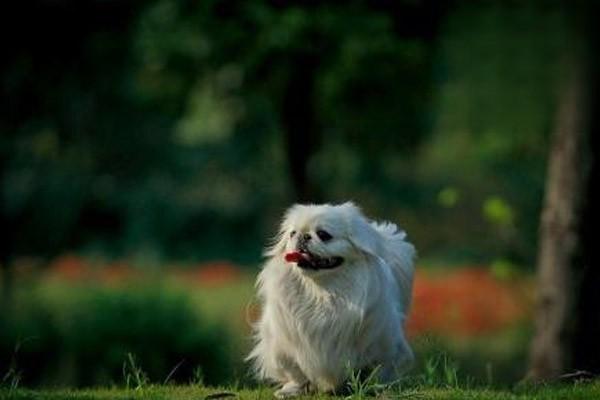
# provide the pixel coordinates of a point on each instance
(400, 255)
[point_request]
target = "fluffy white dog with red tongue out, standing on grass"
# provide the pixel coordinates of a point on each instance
(335, 292)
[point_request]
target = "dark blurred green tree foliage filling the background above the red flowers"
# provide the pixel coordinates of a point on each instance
(157, 129)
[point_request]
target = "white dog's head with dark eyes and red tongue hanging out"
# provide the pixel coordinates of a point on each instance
(324, 237)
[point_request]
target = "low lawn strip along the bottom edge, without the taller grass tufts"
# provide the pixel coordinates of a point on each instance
(584, 391)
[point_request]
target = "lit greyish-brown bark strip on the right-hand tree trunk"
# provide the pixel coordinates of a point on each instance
(560, 246)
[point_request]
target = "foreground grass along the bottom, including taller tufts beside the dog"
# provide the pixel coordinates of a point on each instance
(439, 379)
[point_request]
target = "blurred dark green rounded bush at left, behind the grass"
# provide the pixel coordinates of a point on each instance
(82, 336)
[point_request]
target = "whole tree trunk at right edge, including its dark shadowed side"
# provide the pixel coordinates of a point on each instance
(567, 326)
